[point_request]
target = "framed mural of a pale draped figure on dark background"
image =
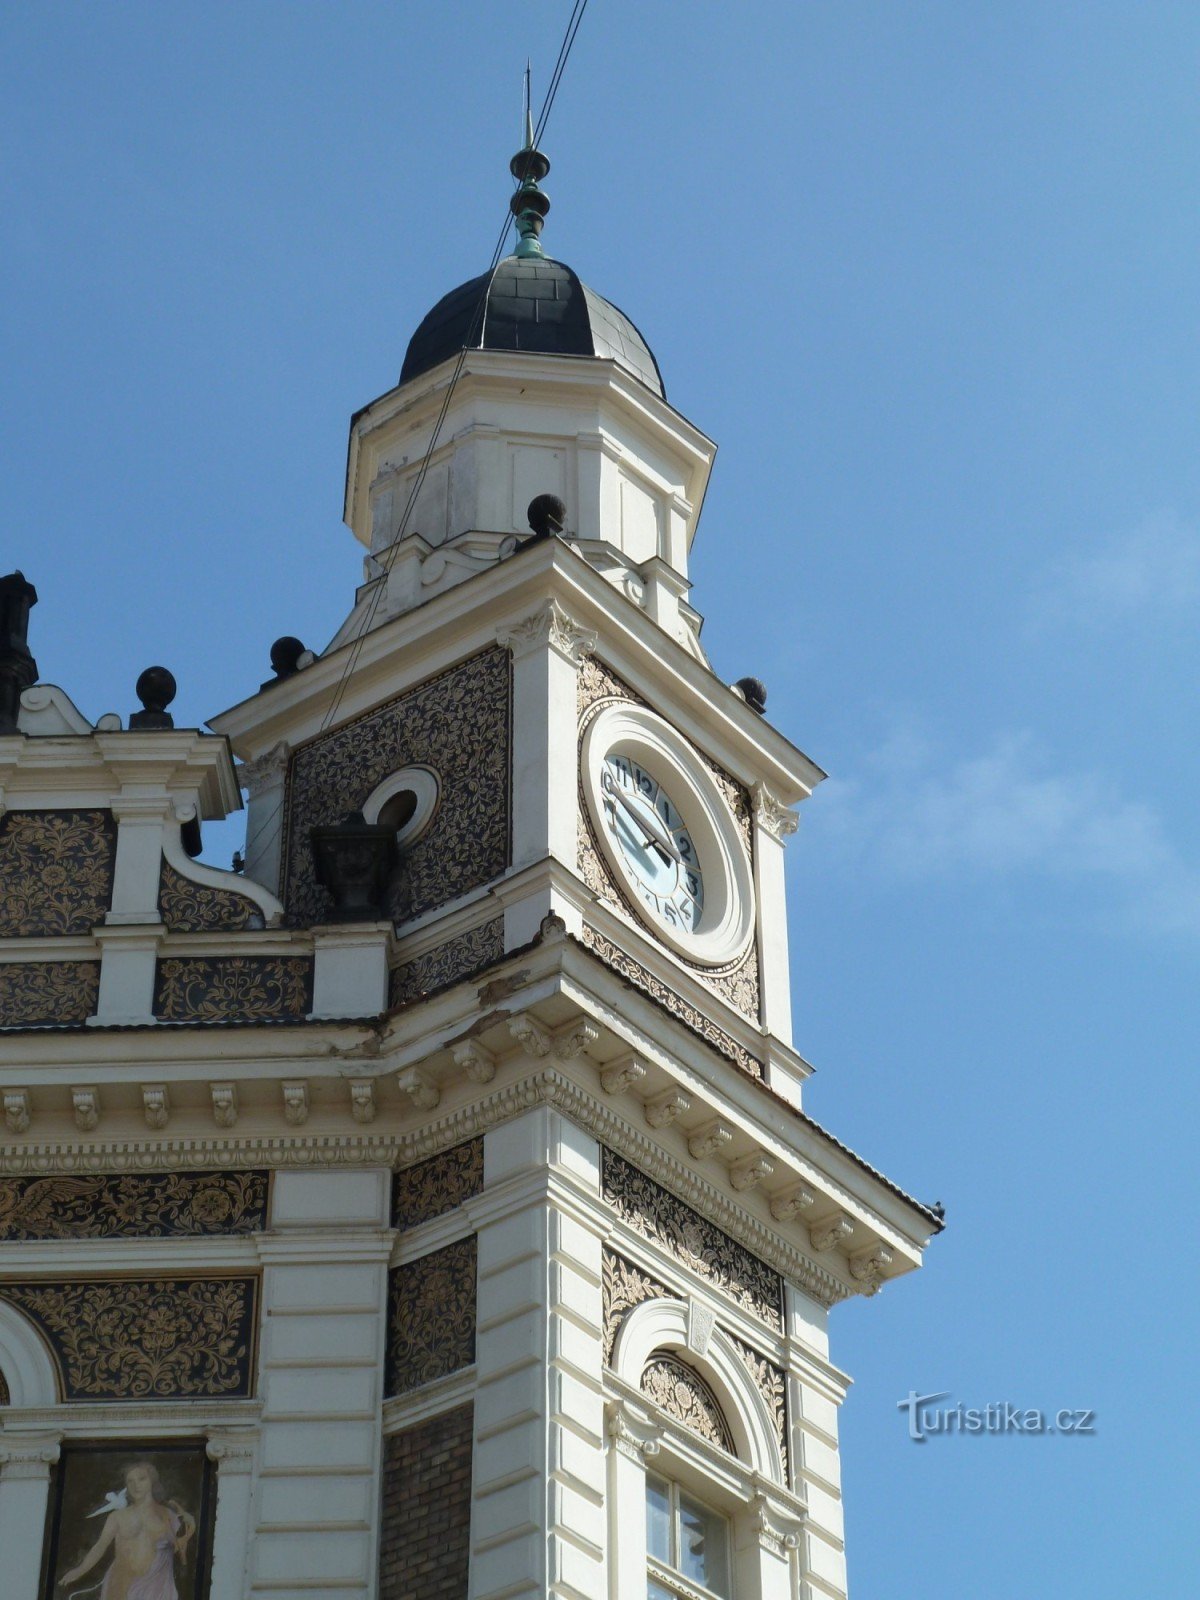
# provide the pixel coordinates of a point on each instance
(130, 1521)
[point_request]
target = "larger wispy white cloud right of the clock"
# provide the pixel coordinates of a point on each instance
(1007, 815)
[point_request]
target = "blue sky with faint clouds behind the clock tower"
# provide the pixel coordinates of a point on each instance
(927, 274)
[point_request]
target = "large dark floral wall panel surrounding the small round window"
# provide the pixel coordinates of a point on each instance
(458, 726)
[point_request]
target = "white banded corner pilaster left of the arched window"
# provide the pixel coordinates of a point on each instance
(538, 1514)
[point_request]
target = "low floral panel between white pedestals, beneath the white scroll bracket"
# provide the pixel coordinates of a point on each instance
(234, 990)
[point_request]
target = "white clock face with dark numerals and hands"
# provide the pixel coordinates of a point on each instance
(654, 841)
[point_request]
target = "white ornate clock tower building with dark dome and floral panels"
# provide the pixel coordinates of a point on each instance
(494, 1031)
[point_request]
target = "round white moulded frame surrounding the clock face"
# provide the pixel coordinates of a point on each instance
(726, 919)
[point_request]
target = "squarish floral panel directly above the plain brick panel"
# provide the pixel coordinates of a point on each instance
(431, 1318)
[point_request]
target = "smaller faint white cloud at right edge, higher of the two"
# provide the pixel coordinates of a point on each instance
(1153, 572)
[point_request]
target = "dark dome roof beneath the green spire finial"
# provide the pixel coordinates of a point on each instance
(530, 305)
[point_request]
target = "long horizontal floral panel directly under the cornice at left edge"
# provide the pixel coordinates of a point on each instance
(143, 1206)
